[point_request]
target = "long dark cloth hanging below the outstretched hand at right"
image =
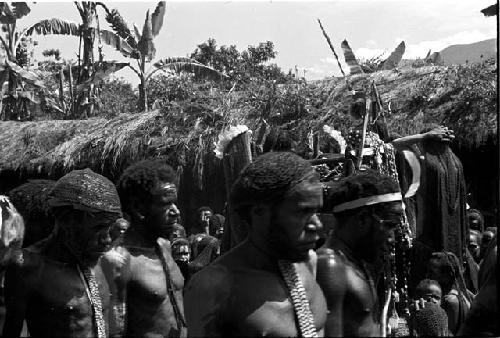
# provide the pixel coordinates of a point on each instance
(441, 222)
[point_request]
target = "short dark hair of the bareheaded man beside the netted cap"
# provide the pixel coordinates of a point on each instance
(141, 178)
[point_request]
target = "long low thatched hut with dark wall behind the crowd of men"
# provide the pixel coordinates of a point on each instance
(462, 97)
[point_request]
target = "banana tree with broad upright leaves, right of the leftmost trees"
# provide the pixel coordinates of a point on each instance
(140, 46)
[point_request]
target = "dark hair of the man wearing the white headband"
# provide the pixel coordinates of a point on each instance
(364, 184)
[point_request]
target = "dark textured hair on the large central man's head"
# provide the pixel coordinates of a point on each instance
(268, 179)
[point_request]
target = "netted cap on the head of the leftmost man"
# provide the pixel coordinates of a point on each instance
(85, 190)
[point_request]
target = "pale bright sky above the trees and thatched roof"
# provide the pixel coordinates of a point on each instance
(372, 27)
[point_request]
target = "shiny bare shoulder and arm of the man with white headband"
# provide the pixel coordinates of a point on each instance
(331, 276)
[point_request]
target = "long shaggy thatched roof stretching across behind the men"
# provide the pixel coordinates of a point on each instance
(416, 96)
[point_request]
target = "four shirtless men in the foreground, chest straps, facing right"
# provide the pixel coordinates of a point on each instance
(81, 282)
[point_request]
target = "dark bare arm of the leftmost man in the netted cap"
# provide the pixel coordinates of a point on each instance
(16, 298)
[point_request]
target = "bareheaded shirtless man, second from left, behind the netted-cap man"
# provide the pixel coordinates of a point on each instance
(148, 296)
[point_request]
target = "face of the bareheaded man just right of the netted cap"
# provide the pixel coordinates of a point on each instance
(162, 211)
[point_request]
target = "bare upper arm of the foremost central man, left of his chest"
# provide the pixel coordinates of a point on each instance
(205, 299)
